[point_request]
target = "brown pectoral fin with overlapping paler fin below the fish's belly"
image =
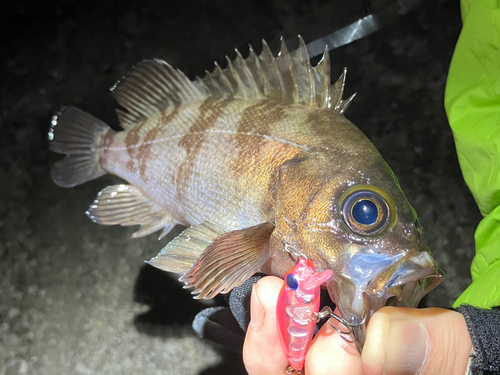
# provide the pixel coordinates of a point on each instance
(215, 262)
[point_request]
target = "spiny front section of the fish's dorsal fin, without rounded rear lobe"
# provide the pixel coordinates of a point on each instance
(289, 77)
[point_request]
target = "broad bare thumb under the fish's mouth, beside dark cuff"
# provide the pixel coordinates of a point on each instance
(416, 341)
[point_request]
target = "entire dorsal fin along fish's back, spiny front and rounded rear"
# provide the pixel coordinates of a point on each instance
(154, 86)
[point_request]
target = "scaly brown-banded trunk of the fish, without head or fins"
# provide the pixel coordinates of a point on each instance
(221, 157)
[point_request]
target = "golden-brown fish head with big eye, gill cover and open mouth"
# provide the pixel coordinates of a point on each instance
(357, 222)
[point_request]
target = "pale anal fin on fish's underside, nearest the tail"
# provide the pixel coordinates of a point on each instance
(126, 205)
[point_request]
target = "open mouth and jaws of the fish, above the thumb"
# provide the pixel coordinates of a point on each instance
(402, 284)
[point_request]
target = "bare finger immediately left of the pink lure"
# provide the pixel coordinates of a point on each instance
(262, 351)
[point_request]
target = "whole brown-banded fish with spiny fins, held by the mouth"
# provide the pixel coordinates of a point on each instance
(254, 159)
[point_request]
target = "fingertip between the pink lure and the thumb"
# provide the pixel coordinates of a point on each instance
(330, 354)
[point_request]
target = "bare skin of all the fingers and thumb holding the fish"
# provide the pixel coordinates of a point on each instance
(399, 341)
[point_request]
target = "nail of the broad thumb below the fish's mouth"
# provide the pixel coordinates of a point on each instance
(406, 348)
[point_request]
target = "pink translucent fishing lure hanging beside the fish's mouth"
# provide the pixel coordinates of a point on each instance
(298, 304)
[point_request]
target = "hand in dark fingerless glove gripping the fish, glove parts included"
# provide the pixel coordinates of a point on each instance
(451, 343)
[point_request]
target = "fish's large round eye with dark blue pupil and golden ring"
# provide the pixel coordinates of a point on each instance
(366, 212)
